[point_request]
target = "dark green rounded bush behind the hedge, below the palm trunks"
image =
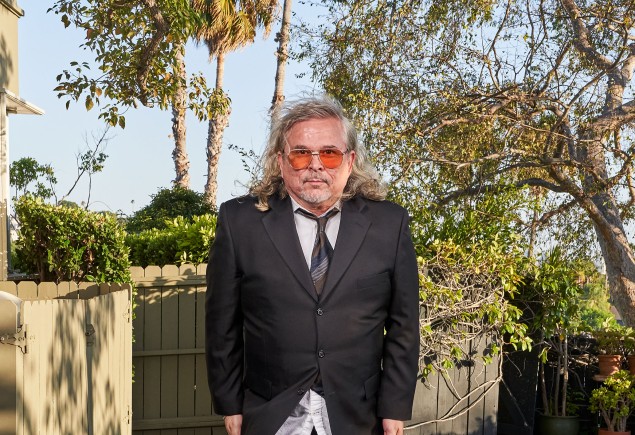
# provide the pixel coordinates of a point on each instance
(166, 205)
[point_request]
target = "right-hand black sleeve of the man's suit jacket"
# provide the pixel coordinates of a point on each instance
(401, 343)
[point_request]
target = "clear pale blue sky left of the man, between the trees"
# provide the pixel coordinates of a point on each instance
(139, 161)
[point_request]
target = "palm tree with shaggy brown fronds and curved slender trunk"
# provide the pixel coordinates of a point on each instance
(231, 24)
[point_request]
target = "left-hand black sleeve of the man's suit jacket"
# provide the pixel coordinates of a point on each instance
(223, 322)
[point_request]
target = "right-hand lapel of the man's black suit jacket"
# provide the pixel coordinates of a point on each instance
(353, 228)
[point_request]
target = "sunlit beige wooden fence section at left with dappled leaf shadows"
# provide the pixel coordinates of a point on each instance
(70, 371)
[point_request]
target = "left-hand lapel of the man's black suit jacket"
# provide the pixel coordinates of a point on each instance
(280, 227)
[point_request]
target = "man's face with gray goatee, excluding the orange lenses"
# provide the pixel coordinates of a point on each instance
(316, 187)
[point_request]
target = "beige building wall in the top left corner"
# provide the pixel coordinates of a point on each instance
(9, 14)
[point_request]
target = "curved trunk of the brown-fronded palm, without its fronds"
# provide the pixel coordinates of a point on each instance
(217, 124)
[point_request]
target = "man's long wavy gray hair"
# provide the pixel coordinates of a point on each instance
(364, 179)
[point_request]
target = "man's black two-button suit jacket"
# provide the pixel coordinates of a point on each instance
(267, 334)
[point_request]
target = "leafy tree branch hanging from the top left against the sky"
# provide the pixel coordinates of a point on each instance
(136, 49)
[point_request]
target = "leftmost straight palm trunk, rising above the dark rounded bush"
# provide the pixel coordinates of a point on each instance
(179, 155)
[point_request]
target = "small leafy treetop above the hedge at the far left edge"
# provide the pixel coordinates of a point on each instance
(27, 171)
